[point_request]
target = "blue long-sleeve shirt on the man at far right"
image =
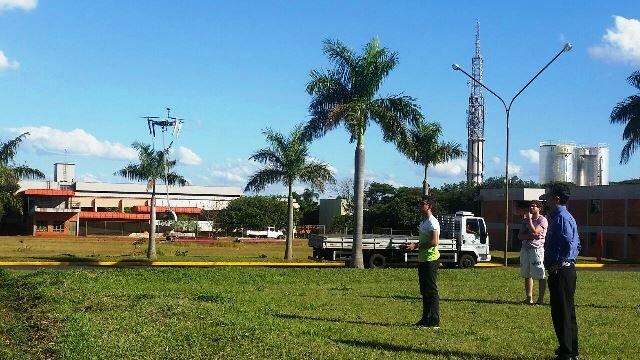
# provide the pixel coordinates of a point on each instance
(562, 243)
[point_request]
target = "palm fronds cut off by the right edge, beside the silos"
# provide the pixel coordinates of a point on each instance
(628, 112)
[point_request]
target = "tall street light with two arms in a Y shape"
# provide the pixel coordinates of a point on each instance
(507, 108)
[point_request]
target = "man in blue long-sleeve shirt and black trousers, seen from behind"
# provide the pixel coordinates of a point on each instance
(560, 252)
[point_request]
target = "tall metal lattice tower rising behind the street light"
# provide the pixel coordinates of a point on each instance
(475, 119)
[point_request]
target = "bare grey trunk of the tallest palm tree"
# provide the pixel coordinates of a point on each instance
(357, 260)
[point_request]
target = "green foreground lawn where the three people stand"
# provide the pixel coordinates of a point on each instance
(231, 313)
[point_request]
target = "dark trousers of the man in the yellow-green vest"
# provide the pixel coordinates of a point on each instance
(428, 276)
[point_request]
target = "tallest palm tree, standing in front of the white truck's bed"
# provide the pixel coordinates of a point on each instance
(347, 94)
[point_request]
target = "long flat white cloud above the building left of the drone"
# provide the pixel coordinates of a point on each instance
(76, 142)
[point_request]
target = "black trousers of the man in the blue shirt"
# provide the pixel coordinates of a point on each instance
(562, 287)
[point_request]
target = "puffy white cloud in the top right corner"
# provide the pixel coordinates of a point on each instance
(621, 43)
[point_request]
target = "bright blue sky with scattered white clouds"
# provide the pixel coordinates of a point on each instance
(79, 75)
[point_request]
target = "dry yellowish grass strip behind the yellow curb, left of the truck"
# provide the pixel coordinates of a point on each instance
(122, 248)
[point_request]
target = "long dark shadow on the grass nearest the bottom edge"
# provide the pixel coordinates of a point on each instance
(447, 353)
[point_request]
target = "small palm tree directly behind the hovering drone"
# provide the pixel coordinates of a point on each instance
(154, 166)
